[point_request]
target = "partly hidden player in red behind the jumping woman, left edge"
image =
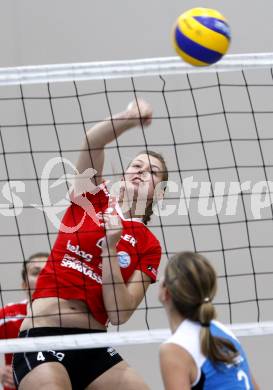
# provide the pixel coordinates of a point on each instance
(12, 315)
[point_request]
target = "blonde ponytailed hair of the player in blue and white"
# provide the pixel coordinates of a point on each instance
(191, 282)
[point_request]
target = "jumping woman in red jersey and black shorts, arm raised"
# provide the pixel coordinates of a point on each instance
(100, 270)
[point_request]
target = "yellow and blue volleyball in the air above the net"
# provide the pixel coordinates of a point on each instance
(201, 36)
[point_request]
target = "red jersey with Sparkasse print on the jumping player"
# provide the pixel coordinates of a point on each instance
(74, 267)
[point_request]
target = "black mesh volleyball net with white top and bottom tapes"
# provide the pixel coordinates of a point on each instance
(214, 128)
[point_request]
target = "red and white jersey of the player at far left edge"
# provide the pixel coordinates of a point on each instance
(11, 317)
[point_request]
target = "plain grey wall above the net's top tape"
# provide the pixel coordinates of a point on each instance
(34, 32)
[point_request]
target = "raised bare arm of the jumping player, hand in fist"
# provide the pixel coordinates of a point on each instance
(92, 151)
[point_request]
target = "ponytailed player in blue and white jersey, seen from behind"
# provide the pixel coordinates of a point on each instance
(201, 353)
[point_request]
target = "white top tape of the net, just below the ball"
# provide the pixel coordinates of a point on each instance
(120, 69)
